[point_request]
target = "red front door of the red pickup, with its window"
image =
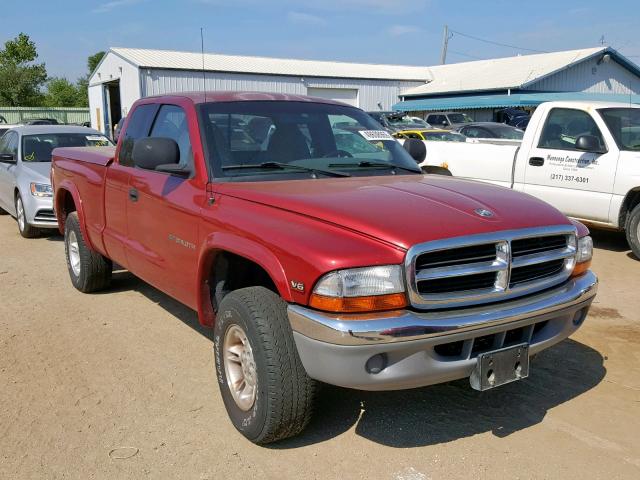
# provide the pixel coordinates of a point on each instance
(163, 215)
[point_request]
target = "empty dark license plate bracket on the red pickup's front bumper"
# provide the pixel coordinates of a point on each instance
(500, 366)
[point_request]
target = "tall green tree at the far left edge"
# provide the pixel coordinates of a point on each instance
(21, 80)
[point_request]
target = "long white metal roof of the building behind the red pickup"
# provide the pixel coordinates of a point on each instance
(170, 59)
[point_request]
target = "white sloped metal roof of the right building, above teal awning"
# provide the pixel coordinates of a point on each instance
(506, 73)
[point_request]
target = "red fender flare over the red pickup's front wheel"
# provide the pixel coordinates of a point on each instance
(243, 247)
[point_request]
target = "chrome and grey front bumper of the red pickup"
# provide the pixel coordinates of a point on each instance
(407, 349)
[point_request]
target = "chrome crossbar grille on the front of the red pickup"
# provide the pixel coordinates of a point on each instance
(489, 267)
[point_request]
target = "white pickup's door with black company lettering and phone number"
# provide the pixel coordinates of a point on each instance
(578, 183)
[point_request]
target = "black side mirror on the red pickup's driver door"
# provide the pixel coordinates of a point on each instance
(160, 154)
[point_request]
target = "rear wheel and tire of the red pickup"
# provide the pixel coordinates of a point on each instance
(94, 270)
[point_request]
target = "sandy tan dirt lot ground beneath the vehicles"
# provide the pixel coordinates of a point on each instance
(121, 385)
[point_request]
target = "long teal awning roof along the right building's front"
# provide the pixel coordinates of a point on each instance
(469, 102)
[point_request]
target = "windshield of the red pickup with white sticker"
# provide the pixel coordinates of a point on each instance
(275, 140)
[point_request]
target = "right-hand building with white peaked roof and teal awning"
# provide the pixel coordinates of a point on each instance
(481, 87)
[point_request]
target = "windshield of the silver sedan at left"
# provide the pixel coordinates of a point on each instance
(37, 148)
